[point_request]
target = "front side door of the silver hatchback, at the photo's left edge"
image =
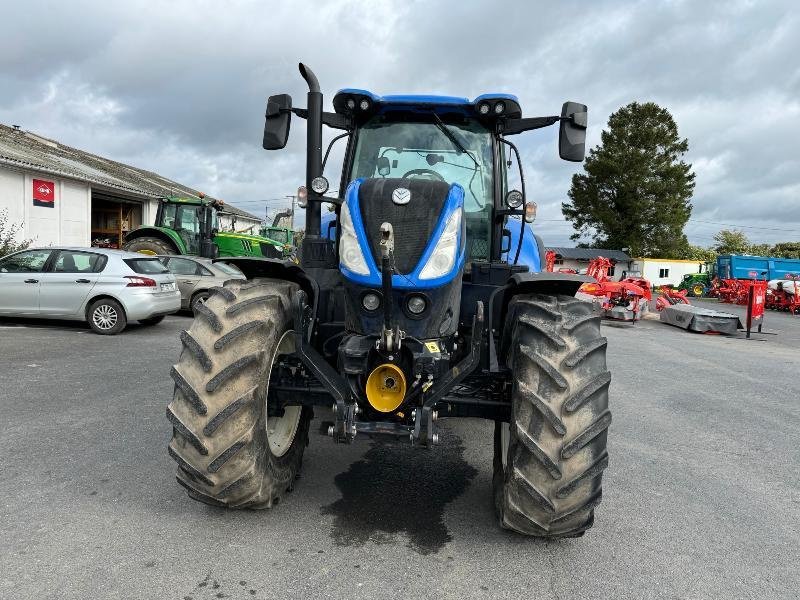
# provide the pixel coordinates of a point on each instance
(20, 278)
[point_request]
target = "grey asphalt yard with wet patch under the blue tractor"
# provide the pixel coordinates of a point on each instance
(701, 498)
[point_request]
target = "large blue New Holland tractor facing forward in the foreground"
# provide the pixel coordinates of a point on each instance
(420, 300)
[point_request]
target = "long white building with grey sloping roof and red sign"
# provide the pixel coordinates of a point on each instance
(68, 197)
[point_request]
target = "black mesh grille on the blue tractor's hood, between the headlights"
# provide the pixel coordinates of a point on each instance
(413, 223)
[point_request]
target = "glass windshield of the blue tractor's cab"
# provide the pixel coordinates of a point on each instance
(422, 150)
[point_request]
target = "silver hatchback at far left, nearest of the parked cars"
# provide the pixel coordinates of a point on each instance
(106, 288)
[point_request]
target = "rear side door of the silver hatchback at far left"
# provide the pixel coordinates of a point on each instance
(66, 284)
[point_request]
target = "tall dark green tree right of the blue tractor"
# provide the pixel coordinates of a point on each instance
(636, 189)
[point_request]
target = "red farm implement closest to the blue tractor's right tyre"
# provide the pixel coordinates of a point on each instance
(623, 300)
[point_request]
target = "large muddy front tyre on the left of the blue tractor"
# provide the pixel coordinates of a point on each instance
(225, 454)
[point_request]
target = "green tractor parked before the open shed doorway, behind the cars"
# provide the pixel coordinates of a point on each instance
(190, 226)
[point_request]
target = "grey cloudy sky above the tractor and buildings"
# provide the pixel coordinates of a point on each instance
(180, 87)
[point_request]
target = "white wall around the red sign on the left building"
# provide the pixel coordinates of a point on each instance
(66, 224)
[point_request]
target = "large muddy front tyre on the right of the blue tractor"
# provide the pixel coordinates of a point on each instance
(548, 462)
